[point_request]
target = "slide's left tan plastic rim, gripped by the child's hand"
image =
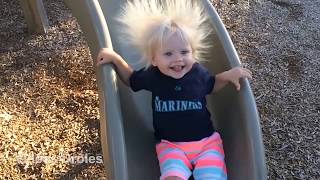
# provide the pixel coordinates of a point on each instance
(92, 22)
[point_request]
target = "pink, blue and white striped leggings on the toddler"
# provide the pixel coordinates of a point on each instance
(205, 157)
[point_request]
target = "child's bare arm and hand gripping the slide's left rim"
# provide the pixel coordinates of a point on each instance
(123, 69)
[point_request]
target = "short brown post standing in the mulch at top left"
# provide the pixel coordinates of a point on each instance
(35, 15)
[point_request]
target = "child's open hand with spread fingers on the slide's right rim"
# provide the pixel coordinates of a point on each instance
(234, 75)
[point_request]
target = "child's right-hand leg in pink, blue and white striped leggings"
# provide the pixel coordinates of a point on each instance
(210, 165)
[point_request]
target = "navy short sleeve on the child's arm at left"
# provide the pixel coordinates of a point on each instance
(141, 79)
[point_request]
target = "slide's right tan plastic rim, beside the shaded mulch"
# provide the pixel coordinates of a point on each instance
(246, 99)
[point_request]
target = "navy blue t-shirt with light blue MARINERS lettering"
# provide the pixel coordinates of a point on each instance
(179, 105)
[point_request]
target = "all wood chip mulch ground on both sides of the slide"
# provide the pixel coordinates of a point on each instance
(49, 102)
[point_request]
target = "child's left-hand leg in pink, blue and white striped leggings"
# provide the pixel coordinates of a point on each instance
(174, 165)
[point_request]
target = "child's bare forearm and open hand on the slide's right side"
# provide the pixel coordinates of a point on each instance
(233, 76)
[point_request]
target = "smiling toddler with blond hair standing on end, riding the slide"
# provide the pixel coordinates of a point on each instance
(170, 37)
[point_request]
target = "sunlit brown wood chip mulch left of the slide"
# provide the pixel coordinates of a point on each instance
(48, 99)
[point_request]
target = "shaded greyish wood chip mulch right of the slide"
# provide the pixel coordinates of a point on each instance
(279, 41)
